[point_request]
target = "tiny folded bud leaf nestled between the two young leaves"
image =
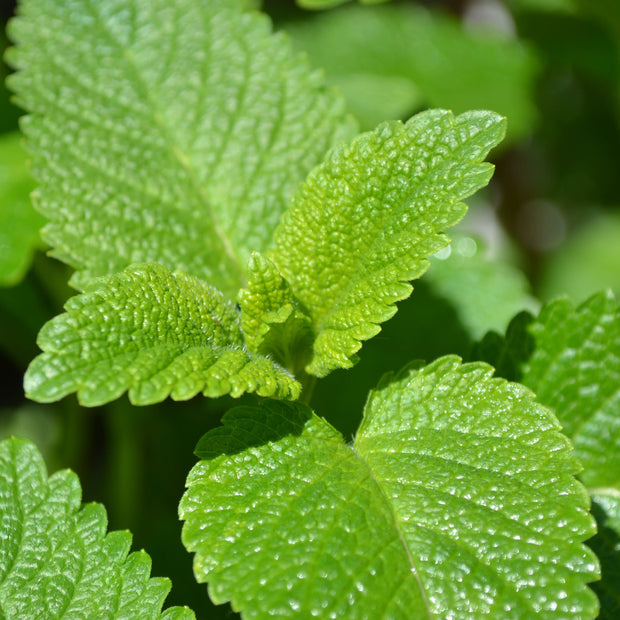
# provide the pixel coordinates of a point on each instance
(271, 319)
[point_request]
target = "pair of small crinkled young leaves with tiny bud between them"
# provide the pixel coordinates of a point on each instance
(358, 230)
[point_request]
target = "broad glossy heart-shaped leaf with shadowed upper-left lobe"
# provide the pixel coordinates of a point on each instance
(456, 500)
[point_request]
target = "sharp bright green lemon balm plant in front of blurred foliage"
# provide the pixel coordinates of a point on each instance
(231, 234)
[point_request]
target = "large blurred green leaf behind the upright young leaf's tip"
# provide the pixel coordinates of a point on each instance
(390, 61)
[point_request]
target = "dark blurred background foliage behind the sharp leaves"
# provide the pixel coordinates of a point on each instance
(548, 225)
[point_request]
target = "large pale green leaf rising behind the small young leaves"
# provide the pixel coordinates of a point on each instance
(168, 132)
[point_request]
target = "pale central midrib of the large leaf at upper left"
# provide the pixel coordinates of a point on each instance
(179, 155)
